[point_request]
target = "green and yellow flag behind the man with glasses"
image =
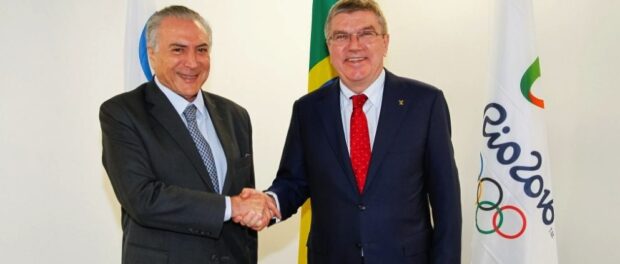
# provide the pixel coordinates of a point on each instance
(321, 71)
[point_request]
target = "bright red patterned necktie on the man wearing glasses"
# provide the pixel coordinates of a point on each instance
(359, 141)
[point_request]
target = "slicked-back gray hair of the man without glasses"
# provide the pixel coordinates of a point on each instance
(152, 25)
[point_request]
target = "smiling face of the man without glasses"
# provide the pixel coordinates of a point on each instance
(180, 57)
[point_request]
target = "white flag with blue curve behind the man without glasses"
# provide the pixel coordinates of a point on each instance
(137, 69)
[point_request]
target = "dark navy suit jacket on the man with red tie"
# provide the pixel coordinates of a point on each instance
(412, 170)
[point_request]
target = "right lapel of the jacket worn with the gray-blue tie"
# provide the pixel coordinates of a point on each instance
(223, 133)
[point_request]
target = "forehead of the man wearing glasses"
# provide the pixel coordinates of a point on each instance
(354, 21)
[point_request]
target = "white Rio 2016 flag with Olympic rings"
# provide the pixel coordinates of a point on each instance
(514, 216)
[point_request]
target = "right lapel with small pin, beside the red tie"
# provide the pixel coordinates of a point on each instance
(393, 109)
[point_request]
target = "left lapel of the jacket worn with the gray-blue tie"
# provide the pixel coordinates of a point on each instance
(163, 111)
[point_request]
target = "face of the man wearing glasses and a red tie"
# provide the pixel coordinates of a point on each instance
(359, 60)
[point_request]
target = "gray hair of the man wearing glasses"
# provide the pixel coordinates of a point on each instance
(350, 6)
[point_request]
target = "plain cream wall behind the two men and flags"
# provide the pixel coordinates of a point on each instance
(60, 59)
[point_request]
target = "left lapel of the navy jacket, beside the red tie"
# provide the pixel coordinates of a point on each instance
(329, 112)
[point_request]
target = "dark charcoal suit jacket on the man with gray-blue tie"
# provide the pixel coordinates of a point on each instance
(170, 213)
